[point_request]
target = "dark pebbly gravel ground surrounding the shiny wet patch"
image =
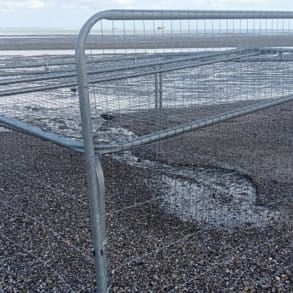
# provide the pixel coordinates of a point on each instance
(45, 237)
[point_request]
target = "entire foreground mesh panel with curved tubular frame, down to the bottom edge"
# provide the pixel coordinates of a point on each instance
(182, 205)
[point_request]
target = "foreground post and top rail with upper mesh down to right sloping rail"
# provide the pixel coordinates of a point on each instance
(160, 67)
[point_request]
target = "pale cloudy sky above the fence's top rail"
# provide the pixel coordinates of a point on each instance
(71, 14)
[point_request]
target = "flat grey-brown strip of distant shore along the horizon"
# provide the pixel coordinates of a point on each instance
(166, 41)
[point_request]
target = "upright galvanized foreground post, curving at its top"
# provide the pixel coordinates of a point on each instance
(94, 170)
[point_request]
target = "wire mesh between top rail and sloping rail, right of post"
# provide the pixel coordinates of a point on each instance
(155, 68)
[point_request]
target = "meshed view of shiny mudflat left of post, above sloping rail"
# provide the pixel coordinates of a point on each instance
(38, 96)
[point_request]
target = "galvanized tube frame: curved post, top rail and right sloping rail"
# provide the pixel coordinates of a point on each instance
(95, 177)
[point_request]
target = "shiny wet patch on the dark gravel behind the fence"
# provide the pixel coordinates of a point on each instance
(209, 196)
